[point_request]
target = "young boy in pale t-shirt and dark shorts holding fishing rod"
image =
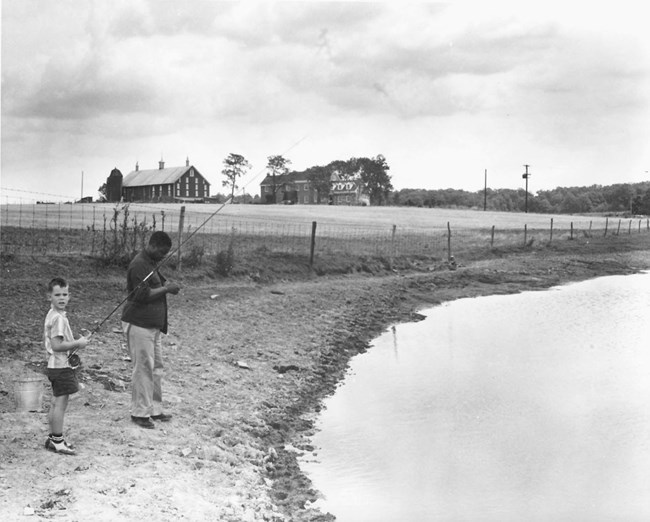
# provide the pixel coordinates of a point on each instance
(58, 340)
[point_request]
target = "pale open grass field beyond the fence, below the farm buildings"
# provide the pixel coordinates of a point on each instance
(84, 215)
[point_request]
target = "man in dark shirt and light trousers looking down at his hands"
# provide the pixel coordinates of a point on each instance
(144, 320)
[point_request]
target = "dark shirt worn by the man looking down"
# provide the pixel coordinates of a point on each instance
(140, 309)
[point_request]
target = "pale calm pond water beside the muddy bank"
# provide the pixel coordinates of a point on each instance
(534, 406)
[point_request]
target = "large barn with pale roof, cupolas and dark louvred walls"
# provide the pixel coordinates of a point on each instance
(165, 184)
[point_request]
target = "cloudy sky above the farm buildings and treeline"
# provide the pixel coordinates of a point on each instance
(443, 91)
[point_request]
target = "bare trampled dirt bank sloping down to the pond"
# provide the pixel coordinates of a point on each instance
(248, 365)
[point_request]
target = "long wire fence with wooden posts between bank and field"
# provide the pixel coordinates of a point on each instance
(97, 229)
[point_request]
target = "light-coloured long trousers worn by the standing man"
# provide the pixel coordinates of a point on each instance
(145, 348)
